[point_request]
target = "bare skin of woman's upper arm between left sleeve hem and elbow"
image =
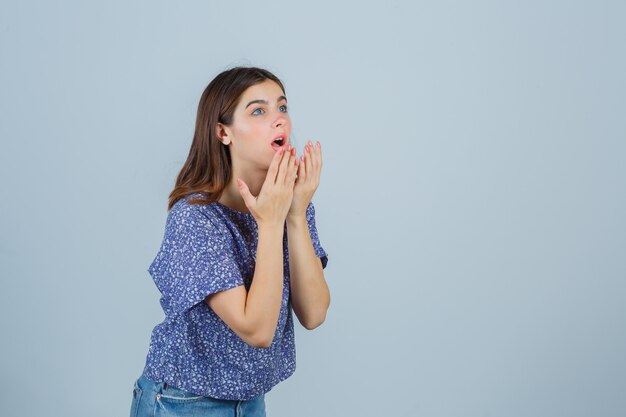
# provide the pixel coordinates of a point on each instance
(230, 306)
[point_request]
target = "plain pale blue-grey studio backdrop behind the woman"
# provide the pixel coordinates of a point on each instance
(471, 202)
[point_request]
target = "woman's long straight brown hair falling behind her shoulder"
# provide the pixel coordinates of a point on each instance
(208, 167)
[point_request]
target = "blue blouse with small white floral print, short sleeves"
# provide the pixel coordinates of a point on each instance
(209, 248)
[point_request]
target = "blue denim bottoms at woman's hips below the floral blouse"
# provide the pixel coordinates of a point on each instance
(158, 399)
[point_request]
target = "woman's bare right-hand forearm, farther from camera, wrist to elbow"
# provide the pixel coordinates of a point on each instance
(310, 296)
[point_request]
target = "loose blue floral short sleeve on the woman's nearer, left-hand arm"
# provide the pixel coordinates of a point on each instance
(196, 259)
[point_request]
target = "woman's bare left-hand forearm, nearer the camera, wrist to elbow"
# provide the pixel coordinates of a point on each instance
(266, 291)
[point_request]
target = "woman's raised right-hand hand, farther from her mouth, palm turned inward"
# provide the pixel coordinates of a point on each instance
(309, 170)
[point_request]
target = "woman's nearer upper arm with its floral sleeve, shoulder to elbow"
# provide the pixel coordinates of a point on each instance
(198, 259)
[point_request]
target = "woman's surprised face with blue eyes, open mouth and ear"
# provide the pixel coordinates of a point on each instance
(261, 115)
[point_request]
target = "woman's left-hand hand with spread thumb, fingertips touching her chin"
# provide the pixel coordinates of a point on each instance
(274, 200)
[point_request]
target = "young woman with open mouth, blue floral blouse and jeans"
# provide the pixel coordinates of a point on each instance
(240, 252)
